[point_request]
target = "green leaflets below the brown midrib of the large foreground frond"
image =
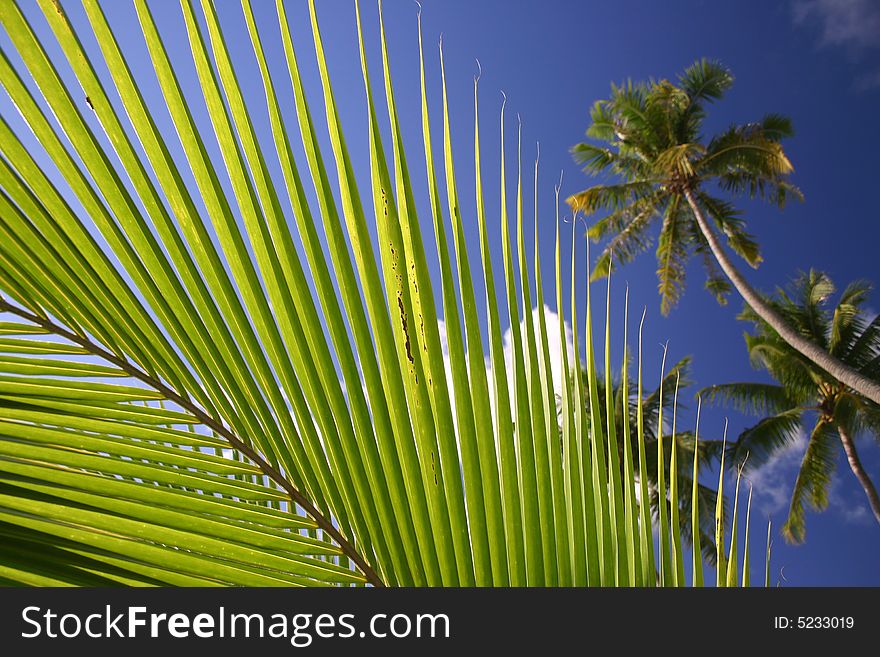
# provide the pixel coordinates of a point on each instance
(93, 471)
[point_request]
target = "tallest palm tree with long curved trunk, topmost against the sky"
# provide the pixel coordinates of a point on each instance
(649, 135)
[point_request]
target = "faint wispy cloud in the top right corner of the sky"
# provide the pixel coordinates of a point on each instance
(850, 24)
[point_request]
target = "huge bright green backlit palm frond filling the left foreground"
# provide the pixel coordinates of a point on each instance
(192, 393)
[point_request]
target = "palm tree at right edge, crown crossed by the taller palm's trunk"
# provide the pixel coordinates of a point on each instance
(807, 395)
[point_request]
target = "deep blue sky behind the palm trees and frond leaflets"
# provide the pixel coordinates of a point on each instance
(815, 60)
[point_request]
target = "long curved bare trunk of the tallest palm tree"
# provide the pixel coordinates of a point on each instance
(858, 382)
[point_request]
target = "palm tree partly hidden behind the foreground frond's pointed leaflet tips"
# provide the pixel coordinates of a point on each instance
(709, 451)
